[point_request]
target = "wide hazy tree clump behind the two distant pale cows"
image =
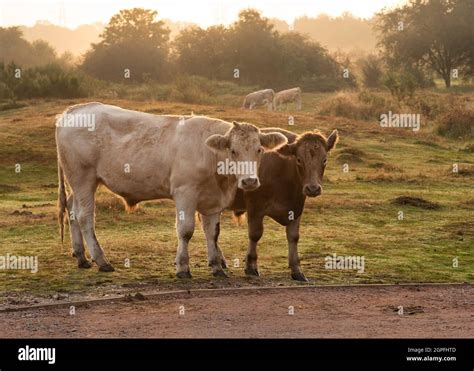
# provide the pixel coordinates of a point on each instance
(262, 56)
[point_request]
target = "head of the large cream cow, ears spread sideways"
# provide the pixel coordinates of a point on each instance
(243, 146)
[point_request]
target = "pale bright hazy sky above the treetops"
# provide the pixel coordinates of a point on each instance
(72, 13)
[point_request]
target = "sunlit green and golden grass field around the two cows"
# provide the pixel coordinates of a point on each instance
(356, 214)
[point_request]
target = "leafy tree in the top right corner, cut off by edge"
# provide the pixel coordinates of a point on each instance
(434, 33)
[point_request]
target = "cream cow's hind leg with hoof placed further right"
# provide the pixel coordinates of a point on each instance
(84, 205)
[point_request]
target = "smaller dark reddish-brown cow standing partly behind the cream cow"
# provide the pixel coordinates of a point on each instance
(287, 177)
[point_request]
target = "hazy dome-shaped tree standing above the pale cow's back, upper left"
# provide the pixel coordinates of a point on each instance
(134, 41)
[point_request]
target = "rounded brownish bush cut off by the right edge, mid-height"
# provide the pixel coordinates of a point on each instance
(457, 123)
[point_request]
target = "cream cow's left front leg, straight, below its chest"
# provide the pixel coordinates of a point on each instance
(185, 210)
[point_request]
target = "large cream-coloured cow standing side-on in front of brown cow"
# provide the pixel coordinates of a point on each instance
(141, 156)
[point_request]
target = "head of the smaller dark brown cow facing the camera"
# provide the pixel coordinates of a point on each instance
(310, 151)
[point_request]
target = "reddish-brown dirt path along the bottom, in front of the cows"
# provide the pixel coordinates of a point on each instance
(320, 312)
